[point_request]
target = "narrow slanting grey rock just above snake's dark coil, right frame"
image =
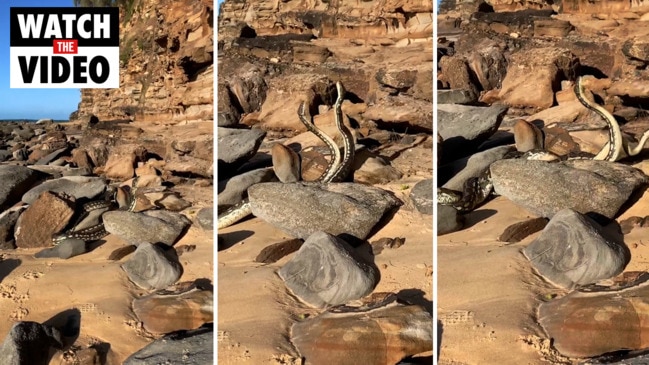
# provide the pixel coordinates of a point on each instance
(472, 166)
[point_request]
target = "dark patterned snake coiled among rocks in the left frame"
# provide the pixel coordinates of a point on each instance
(85, 228)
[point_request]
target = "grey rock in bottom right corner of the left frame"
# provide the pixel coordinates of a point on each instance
(195, 347)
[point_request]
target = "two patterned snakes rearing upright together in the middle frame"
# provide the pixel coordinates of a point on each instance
(337, 169)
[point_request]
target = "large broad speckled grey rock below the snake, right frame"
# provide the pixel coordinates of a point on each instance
(583, 185)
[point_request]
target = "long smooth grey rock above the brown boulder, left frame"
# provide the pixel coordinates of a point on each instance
(76, 186)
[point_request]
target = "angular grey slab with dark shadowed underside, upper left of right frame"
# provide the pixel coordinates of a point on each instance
(464, 128)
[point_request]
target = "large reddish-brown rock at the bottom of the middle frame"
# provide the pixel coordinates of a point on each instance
(382, 336)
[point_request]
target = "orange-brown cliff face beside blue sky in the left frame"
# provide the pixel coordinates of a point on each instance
(166, 65)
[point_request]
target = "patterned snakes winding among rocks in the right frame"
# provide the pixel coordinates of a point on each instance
(477, 189)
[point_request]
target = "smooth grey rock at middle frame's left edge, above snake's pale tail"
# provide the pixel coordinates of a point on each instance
(234, 190)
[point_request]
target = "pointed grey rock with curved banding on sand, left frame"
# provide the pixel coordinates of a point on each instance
(151, 267)
